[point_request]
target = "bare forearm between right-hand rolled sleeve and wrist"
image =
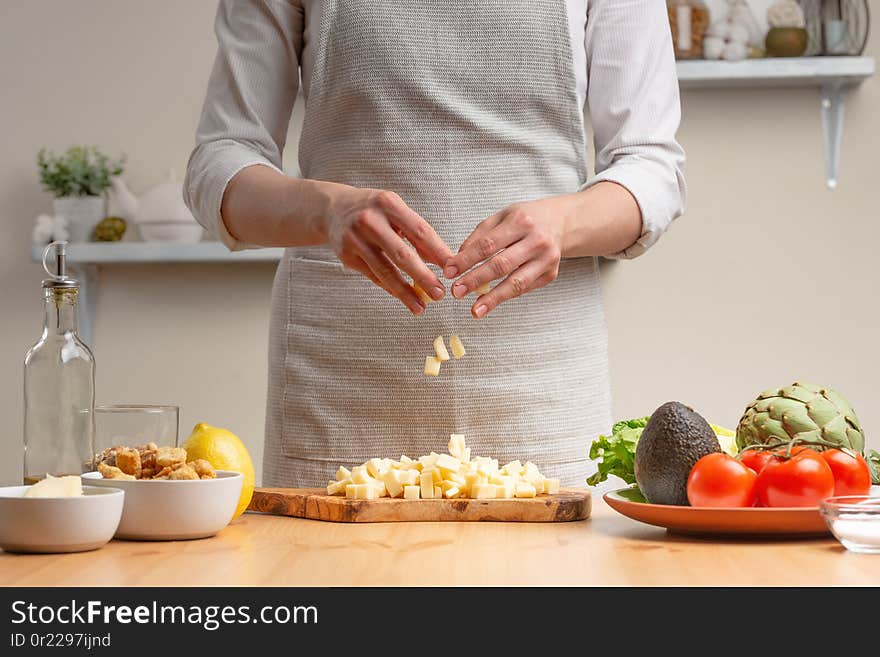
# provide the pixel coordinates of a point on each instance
(602, 220)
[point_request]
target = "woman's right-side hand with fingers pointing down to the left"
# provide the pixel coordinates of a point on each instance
(522, 244)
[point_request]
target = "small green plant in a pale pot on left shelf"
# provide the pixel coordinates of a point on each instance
(78, 178)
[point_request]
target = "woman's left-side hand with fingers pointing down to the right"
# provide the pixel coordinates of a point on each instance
(366, 228)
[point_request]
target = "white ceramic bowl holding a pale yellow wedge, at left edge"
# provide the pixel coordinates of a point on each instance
(58, 524)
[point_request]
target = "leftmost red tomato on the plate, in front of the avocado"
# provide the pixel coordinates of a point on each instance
(719, 480)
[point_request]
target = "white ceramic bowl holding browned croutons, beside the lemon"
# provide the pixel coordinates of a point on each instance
(170, 510)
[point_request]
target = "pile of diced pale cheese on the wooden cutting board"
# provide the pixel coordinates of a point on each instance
(437, 476)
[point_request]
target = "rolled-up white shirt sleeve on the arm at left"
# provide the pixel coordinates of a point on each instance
(248, 104)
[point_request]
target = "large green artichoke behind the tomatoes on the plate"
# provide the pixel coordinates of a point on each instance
(800, 411)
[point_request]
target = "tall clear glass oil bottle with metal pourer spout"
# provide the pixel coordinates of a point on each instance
(59, 385)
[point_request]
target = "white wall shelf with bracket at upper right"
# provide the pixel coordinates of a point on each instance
(834, 77)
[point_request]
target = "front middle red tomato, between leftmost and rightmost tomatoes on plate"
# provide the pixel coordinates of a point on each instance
(803, 480)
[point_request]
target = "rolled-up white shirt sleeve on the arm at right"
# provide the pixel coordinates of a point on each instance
(633, 99)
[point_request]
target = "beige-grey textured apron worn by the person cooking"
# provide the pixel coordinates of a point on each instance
(462, 108)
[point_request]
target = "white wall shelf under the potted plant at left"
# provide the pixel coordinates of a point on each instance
(85, 259)
